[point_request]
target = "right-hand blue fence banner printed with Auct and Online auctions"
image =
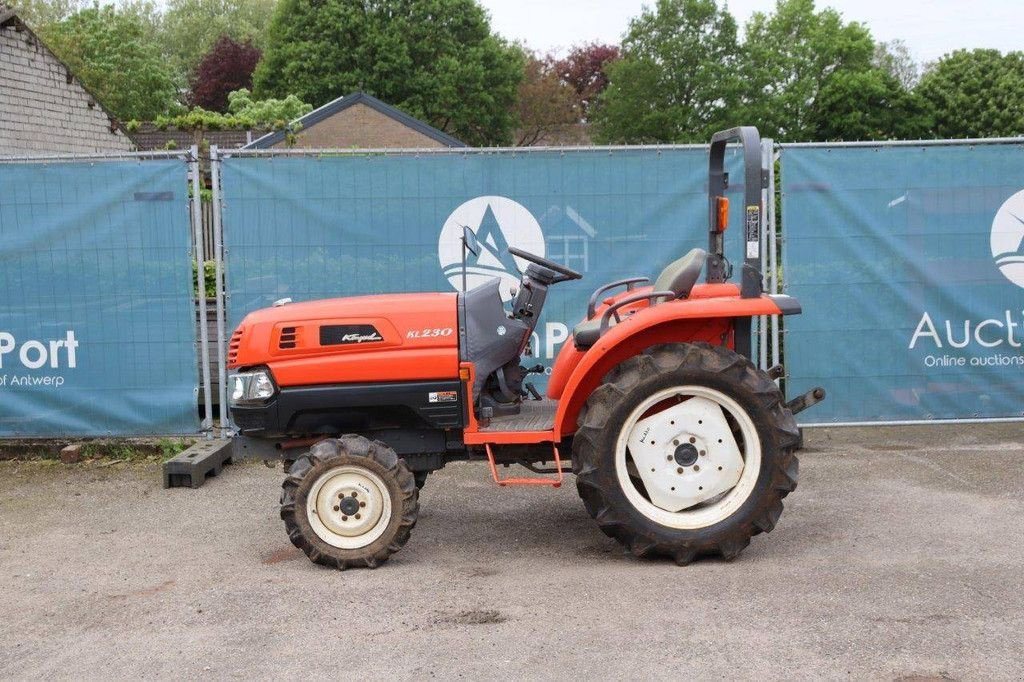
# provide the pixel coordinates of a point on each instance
(909, 262)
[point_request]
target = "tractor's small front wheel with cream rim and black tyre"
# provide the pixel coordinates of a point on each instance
(350, 502)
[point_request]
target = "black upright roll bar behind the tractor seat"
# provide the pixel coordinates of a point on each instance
(751, 277)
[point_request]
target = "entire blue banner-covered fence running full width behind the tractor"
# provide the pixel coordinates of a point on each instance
(907, 259)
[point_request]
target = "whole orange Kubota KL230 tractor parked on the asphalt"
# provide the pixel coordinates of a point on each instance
(680, 446)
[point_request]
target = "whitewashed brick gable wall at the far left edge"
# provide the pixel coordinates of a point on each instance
(40, 111)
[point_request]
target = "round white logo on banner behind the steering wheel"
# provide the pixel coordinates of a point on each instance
(498, 223)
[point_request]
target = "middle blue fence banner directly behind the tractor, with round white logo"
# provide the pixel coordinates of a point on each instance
(305, 226)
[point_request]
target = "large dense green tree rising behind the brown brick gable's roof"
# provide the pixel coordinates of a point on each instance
(436, 60)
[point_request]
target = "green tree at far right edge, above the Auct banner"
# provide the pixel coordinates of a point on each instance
(977, 94)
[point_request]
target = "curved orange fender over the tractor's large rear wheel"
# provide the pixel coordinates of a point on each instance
(709, 320)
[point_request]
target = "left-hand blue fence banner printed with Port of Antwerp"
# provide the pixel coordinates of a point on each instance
(98, 324)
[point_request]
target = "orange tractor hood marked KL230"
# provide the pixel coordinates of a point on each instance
(352, 339)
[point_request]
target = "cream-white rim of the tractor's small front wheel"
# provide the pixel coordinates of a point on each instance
(349, 507)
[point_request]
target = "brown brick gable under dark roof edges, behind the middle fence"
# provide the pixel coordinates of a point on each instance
(362, 127)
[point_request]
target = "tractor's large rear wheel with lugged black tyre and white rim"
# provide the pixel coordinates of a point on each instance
(687, 450)
